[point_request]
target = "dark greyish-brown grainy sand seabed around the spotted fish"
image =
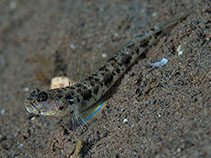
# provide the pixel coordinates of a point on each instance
(167, 108)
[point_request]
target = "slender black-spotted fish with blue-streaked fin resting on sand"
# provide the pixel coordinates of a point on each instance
(82, 101)
